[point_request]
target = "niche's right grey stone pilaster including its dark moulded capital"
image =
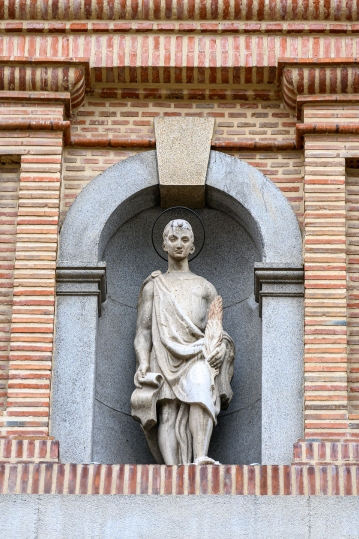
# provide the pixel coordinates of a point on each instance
(279, 291)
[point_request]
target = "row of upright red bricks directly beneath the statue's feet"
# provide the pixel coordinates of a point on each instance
(124, 479)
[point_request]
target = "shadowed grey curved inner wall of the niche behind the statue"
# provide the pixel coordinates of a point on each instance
(227, 261)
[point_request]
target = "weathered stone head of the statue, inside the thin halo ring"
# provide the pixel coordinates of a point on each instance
(178, 239)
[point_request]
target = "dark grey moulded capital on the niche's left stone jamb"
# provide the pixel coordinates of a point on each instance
(82, 281)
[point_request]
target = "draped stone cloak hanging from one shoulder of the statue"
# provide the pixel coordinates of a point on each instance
(178, 371)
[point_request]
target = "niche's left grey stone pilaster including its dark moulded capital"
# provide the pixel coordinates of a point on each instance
(80, 293)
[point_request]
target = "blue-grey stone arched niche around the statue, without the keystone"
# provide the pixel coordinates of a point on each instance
(249, 221)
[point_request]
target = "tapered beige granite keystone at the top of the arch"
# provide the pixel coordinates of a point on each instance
(183, 149)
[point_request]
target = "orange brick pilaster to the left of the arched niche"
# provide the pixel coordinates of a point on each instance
(36, 234)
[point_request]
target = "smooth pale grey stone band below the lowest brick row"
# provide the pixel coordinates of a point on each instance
(178, 517)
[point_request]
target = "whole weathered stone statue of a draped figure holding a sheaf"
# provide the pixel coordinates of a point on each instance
(184, 358)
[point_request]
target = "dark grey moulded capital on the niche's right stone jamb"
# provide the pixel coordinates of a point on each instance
(282, 281)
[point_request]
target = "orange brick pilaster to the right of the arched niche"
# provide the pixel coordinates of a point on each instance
(327, 288)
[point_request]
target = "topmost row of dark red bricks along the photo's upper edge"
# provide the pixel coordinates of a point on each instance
(275, 10)
